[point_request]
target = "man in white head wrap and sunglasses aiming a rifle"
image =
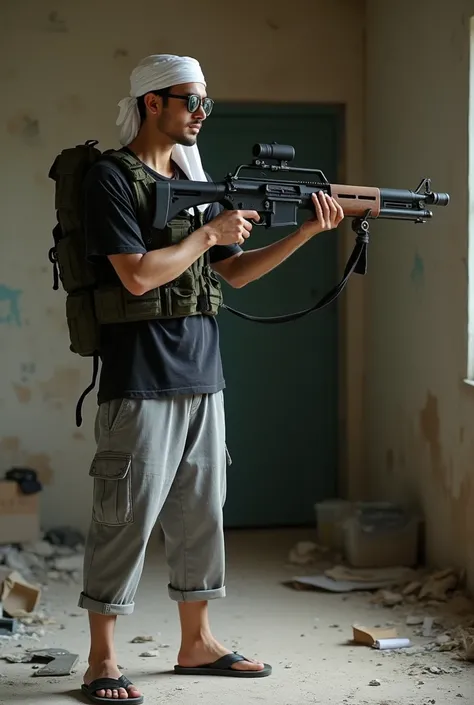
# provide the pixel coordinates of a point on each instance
(160, 426)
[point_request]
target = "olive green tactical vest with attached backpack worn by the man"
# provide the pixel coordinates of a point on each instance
(90, 304)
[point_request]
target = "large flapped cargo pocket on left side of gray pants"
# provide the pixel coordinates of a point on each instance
(112, 496)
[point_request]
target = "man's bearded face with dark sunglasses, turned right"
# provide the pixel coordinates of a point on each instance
(174, 119)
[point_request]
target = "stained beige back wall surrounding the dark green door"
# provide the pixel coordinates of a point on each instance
(63, 68)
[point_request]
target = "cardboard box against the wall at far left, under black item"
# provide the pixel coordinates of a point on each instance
(19, 514)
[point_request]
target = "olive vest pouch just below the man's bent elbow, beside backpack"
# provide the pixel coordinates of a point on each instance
(115, 304)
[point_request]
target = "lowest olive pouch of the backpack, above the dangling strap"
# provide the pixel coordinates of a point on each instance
(82, 323)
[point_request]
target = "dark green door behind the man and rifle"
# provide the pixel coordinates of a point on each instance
(282, 380)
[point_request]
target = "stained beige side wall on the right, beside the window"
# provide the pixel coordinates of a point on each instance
(421, 413)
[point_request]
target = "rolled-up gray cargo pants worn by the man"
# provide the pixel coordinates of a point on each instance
(157, 459)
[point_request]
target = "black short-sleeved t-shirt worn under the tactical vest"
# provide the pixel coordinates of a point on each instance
(146, 359)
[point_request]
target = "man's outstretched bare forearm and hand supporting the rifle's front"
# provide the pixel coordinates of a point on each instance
(245, 267)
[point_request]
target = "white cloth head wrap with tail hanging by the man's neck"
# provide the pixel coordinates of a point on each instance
(152, 74)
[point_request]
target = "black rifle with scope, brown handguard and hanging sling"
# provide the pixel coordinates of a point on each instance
(278, 202)
